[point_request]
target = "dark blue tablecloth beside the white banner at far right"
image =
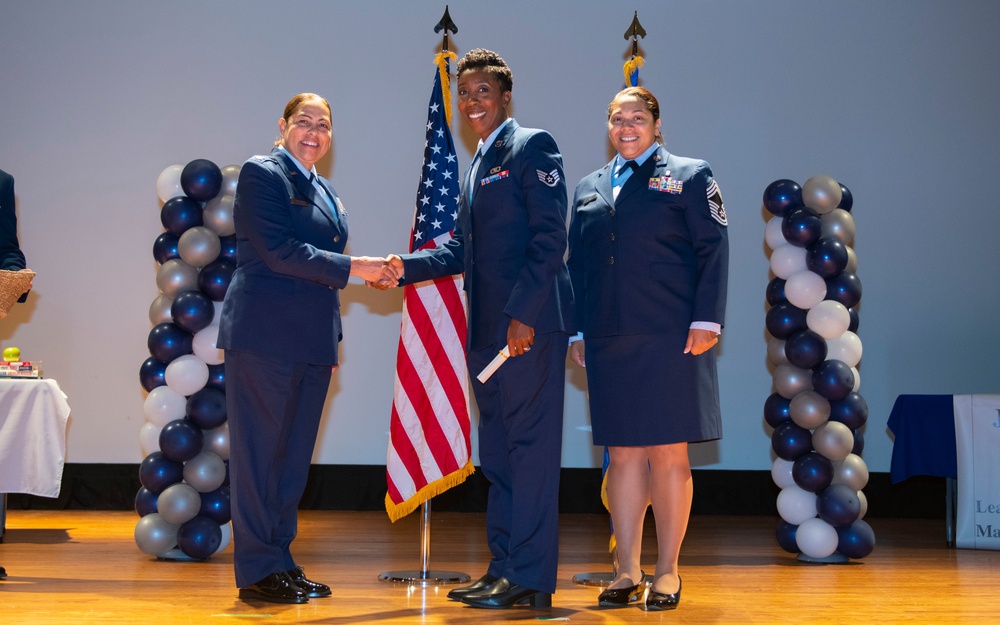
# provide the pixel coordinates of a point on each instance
(924, 429)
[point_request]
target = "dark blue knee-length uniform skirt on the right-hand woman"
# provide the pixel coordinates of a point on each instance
(645, 391)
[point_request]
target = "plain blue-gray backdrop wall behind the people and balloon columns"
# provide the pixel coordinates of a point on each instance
(895, 99)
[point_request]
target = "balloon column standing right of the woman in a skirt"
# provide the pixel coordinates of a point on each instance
(816, 411)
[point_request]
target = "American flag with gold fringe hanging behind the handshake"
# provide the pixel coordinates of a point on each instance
(429, 445)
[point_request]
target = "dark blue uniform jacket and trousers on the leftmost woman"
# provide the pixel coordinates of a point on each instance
(280, 328)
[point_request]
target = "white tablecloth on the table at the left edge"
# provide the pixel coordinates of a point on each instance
(33, 418)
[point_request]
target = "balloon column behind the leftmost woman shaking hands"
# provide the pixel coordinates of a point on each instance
(184, 499)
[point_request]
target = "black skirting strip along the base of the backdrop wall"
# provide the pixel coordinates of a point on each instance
(362, 487)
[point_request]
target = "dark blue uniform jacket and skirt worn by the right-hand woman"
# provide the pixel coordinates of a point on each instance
(644, 267)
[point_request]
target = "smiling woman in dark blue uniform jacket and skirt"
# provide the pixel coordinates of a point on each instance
(648, 256)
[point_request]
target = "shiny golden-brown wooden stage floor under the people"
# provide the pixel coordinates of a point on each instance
(84, 567)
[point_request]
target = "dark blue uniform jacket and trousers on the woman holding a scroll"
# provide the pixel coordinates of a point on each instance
(510, 242)
